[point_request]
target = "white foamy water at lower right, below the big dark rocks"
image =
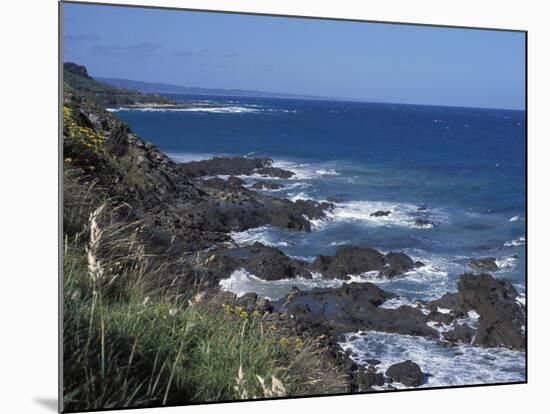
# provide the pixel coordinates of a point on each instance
(459, 365)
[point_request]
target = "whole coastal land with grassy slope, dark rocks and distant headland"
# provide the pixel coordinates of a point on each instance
(149, 235)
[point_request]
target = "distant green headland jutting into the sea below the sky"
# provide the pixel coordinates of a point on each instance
(104, 94)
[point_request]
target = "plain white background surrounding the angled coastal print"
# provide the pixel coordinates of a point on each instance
(28, 170)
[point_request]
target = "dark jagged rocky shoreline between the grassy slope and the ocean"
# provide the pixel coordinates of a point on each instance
(189, 210)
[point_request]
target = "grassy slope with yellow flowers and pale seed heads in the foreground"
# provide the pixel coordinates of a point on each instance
(130, 338)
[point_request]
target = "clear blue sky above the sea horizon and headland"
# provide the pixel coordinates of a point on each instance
(352, 60)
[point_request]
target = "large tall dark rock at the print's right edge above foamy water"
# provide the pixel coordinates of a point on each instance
(502, 318)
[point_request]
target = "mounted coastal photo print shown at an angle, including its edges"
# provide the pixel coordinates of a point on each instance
(260, 207)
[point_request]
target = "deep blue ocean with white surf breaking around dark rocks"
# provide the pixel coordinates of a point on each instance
(460, 169)
